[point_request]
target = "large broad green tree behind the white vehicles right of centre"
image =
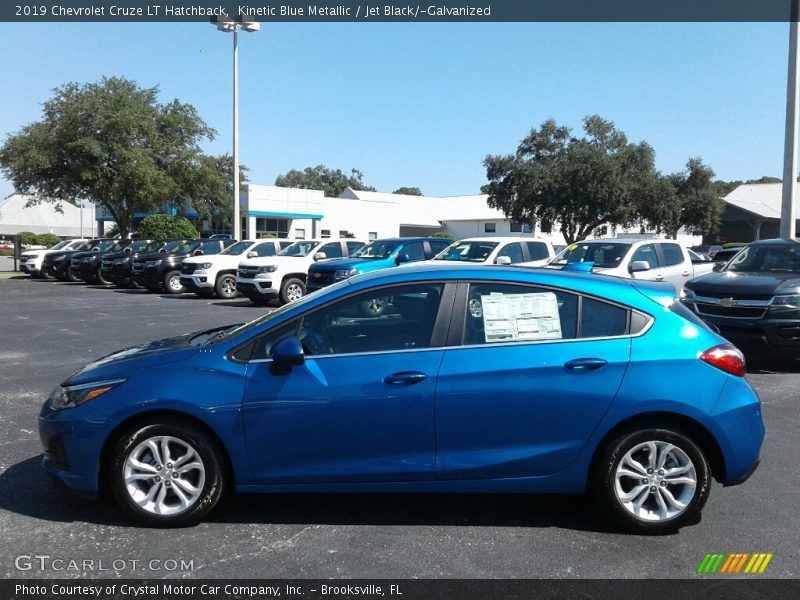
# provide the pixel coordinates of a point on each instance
(579, 183)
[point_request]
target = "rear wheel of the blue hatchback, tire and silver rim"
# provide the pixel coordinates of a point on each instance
(652, 481)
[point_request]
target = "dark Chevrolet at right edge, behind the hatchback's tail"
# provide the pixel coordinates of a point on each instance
(754, 300)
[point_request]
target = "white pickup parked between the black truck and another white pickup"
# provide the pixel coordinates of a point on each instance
(216, 273)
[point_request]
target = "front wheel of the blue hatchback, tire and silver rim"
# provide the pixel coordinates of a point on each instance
(166, 474)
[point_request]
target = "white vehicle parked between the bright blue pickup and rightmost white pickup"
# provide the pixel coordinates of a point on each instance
(497, 251)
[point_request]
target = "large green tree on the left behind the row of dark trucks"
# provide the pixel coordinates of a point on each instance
(114, 143)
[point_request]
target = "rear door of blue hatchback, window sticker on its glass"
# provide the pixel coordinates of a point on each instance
(525, 380)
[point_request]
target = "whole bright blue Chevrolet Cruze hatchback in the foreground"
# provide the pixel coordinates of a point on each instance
(472, 380)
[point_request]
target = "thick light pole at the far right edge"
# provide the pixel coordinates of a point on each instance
(789, 201)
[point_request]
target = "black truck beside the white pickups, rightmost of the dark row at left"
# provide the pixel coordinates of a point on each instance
(162, 271)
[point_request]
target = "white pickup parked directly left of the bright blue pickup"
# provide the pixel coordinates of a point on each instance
(284, 276)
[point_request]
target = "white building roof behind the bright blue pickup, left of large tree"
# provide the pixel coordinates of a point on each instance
(431, 211)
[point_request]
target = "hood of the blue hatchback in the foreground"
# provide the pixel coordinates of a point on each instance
(159, 352)
